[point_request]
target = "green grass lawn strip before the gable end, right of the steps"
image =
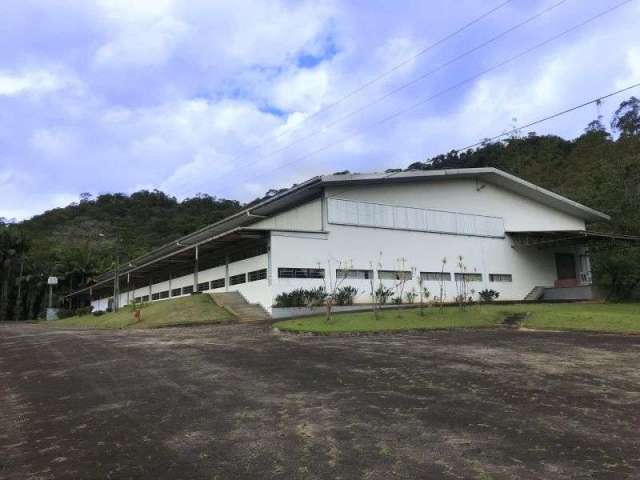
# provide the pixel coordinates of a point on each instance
(600, 317)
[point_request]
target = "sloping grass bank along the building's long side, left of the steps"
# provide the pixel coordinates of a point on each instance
(195, 309)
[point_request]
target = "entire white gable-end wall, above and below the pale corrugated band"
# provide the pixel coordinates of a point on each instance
(424, 251)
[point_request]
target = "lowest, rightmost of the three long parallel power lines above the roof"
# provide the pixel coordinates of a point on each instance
(453, 87)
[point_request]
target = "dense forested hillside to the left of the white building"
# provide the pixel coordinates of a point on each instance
(79, 241)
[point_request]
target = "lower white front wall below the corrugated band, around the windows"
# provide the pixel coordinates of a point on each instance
(424, 251)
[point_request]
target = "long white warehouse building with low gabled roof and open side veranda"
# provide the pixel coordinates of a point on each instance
(513, 236)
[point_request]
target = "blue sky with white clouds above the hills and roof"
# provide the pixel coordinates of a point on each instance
(232, 99)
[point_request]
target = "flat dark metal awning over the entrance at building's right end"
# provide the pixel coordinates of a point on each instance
(578, 237)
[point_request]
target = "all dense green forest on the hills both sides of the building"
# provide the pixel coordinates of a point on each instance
(599, 168)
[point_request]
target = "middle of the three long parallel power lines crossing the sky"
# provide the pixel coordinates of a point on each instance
(413, 81)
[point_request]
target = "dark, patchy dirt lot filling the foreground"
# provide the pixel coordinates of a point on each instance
(234, 401)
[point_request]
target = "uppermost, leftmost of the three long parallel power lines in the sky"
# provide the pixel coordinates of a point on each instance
(376, 79)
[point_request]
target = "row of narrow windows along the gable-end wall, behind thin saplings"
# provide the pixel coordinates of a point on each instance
(391, 275)
